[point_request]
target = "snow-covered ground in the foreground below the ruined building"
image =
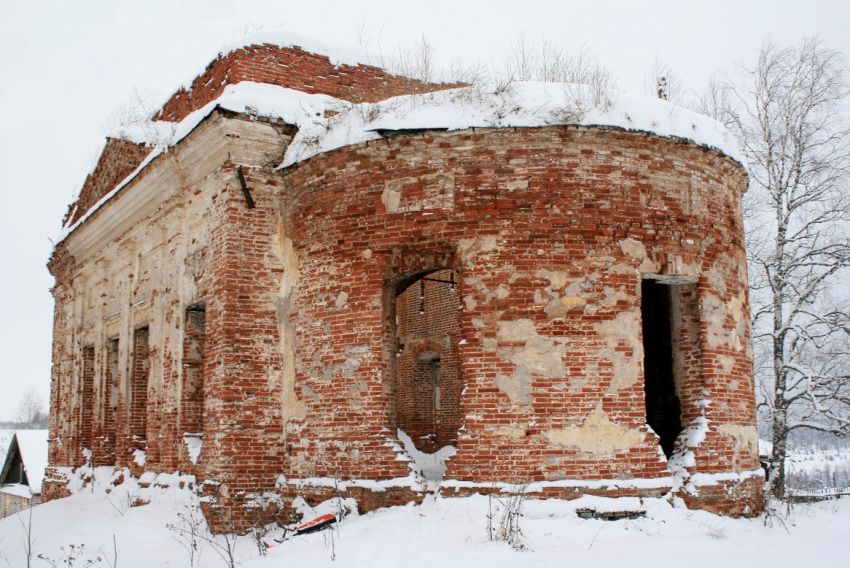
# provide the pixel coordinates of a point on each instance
(440, 532)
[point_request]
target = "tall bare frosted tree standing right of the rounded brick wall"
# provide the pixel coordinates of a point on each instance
(795, 138)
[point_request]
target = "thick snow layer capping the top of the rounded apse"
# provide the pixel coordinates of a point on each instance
(521, 104)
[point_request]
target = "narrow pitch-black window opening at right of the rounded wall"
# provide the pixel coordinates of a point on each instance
(663, 409)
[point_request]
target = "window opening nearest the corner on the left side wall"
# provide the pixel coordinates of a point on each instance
(193, 370)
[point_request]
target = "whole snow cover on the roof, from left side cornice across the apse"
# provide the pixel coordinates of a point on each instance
(326, 123)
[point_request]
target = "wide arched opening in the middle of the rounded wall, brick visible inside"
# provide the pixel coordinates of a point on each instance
(426, 330)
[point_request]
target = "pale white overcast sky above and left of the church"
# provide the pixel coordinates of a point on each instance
(65, 67)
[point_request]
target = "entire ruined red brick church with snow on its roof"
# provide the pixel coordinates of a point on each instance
(265, 300)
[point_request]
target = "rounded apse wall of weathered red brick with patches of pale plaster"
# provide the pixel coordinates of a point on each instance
(553, 232)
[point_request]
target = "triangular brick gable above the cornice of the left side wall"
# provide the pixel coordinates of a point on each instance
(118, 160)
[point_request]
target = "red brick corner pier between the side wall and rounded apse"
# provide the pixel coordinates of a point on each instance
(247, 446)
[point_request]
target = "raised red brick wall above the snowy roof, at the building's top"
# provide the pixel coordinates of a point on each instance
(295, 69)
